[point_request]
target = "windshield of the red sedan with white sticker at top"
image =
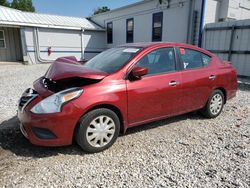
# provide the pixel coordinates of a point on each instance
(112, 60)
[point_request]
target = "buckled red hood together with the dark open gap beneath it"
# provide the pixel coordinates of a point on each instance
(66, 73)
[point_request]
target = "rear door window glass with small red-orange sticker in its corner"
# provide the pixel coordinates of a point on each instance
(192, 59)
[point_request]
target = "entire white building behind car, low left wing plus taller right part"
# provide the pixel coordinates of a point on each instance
(38, 38)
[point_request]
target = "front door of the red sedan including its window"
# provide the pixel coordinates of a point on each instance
(156, 94)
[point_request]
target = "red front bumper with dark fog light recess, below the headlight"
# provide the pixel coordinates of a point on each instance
(49, 129)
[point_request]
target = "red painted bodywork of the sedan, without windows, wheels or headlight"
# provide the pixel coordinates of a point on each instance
(139, 101)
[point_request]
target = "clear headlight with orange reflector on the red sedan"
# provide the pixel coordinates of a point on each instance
(54, 103)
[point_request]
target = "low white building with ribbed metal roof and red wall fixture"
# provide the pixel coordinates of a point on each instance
(38, 38)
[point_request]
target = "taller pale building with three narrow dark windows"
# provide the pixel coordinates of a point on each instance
(167, 20)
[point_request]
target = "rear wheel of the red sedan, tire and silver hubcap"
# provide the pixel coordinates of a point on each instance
(214, 104)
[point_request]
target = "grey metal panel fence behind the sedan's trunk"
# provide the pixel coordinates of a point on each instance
(231, 42)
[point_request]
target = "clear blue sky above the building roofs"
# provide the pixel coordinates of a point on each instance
(81, 8)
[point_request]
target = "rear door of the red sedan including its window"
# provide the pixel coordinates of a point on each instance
(197, 78)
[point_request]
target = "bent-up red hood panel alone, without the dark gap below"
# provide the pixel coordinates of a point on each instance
(68, 67)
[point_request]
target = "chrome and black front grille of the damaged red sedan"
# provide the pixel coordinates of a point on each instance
(26, 98)
